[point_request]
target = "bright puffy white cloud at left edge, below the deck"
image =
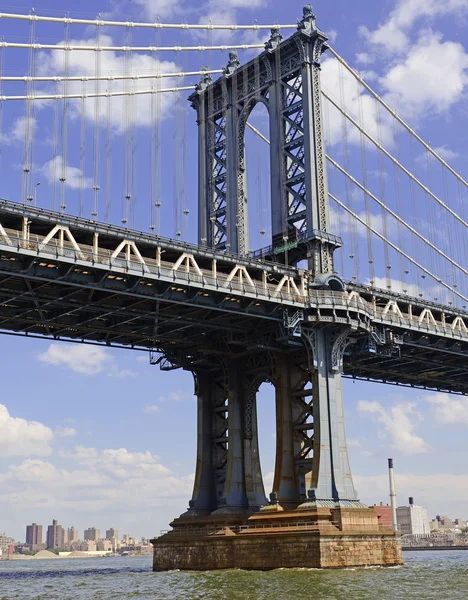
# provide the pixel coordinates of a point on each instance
(19, 437)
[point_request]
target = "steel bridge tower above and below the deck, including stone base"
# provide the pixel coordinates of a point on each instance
(312, 481)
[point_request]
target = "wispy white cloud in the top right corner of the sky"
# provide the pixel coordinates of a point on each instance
(392, 35)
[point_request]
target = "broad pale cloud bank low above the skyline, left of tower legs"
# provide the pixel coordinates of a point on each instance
(94, 480)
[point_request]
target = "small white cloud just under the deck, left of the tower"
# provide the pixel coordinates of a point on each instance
(85, 358)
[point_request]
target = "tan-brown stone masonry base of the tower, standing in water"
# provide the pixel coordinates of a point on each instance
(279, 545)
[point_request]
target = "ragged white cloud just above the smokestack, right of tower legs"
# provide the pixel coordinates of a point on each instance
(398, 421)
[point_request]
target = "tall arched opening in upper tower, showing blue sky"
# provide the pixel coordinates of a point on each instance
(257, 177)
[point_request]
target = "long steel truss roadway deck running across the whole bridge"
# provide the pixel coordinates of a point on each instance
(69, 278)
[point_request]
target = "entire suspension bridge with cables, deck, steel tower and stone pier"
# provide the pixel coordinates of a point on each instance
(324, 239)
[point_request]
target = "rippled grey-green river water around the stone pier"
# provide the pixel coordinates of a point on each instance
(425, 575)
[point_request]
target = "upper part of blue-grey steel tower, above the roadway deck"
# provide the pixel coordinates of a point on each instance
(286, 79)
